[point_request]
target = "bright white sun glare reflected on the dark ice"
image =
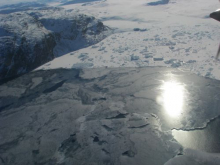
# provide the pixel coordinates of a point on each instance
(173, 98)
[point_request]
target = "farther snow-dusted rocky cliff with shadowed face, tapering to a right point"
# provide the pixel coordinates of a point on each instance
(72, 31)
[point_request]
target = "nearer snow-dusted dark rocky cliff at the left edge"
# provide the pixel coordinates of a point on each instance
(24, 44)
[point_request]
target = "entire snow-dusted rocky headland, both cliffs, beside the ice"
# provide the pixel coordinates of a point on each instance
(31, 38)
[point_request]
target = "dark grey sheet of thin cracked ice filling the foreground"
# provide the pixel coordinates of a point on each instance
(107, 116)
